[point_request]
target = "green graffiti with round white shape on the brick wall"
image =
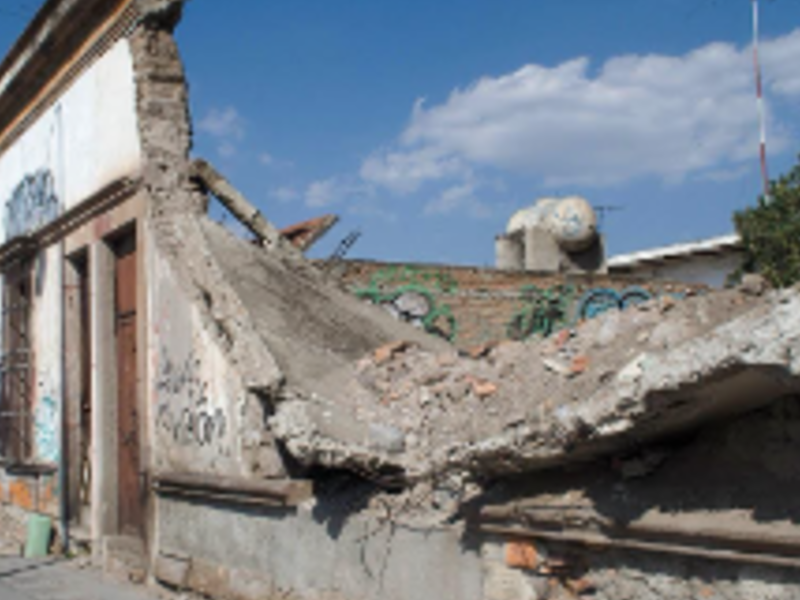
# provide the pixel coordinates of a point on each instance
(412, 295)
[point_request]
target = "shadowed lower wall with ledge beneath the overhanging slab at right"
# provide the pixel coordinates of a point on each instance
(702, 516)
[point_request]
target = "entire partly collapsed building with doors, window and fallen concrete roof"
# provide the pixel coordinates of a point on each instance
(219, 416)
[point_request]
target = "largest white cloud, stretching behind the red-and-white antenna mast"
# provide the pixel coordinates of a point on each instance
(637, 116)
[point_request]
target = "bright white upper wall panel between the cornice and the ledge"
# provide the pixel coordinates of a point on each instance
(85, 141)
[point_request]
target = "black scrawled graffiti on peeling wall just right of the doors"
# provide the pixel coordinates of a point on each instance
(184, 411)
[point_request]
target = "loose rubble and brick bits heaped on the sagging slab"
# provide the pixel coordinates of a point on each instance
(485, 412)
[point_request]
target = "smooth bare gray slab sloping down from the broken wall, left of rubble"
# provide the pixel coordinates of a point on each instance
(311, 328)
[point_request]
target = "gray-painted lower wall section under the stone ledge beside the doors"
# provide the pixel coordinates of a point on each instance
(276, 552)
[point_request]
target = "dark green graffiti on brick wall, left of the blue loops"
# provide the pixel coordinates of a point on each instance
(543, 311)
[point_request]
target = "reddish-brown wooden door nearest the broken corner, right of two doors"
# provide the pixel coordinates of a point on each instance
(131, 492)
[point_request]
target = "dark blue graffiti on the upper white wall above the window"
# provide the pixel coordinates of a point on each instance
(33, 203)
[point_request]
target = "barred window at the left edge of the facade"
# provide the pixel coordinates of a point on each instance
(15, 366)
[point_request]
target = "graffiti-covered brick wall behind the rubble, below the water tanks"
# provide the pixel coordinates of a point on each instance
(473, 306)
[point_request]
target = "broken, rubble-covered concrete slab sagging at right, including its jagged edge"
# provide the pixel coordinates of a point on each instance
(621, 379)
